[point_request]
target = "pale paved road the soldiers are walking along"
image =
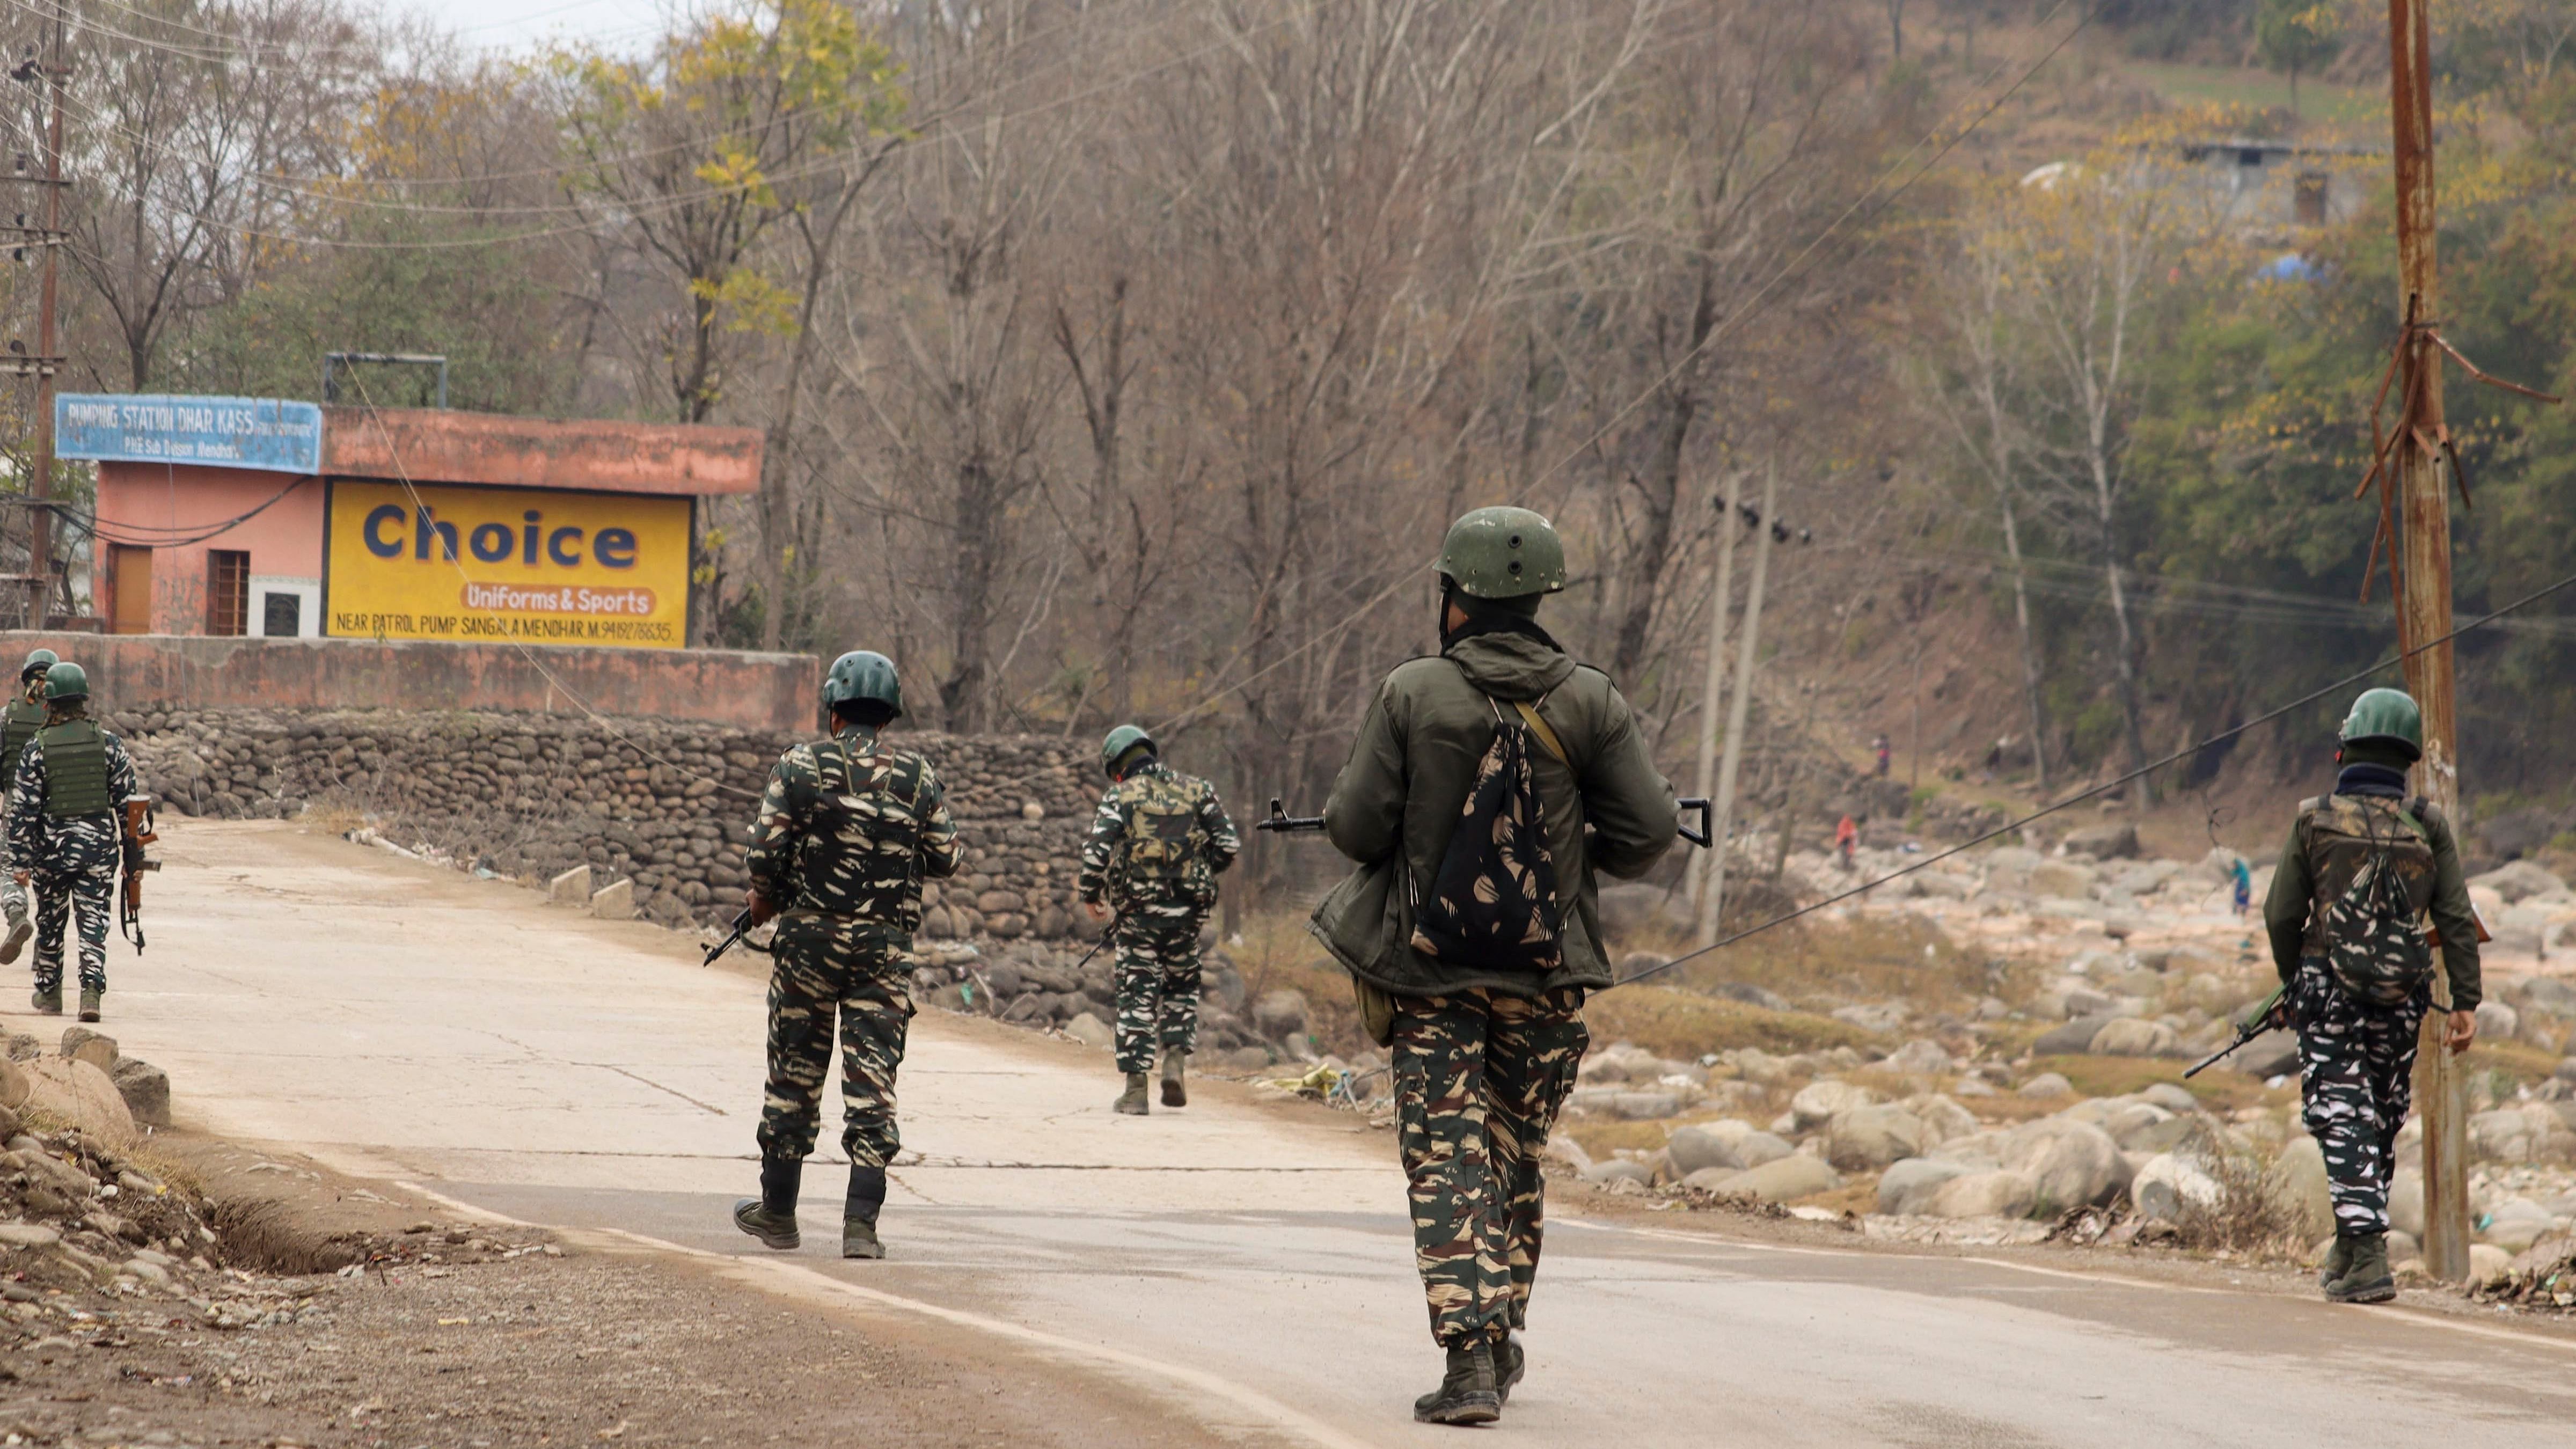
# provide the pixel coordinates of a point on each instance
(1243, 1262)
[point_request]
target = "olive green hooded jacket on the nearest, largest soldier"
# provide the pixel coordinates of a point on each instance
(1408, 780)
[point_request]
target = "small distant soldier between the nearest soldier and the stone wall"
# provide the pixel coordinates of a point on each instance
(1155, 852)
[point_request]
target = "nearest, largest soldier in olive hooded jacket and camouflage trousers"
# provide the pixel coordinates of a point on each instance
(1485, 1053)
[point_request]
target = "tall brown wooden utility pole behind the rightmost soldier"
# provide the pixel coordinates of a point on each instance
(2423, 592)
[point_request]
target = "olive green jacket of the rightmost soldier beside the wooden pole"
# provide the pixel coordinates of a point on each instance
(2333, 839)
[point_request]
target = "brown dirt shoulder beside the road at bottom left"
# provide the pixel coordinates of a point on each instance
(357, 1314)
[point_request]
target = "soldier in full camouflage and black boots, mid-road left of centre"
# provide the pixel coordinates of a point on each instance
(849, 831)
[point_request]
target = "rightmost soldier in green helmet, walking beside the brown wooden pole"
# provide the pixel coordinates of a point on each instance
(2358, 1025)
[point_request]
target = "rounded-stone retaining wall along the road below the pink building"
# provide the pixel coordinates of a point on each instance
(661, 803)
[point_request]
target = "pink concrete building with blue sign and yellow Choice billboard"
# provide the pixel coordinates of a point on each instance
(285, 520)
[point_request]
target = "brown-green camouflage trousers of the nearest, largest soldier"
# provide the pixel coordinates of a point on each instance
(1480, 1079)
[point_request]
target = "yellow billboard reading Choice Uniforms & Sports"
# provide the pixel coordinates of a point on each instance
(506, 566)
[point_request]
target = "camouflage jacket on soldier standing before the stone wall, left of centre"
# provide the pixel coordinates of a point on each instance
(851, 829)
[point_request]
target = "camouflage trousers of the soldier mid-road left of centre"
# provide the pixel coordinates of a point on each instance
(828, 968)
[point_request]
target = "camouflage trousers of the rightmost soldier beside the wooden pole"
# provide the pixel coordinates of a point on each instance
(2356, 1087)
